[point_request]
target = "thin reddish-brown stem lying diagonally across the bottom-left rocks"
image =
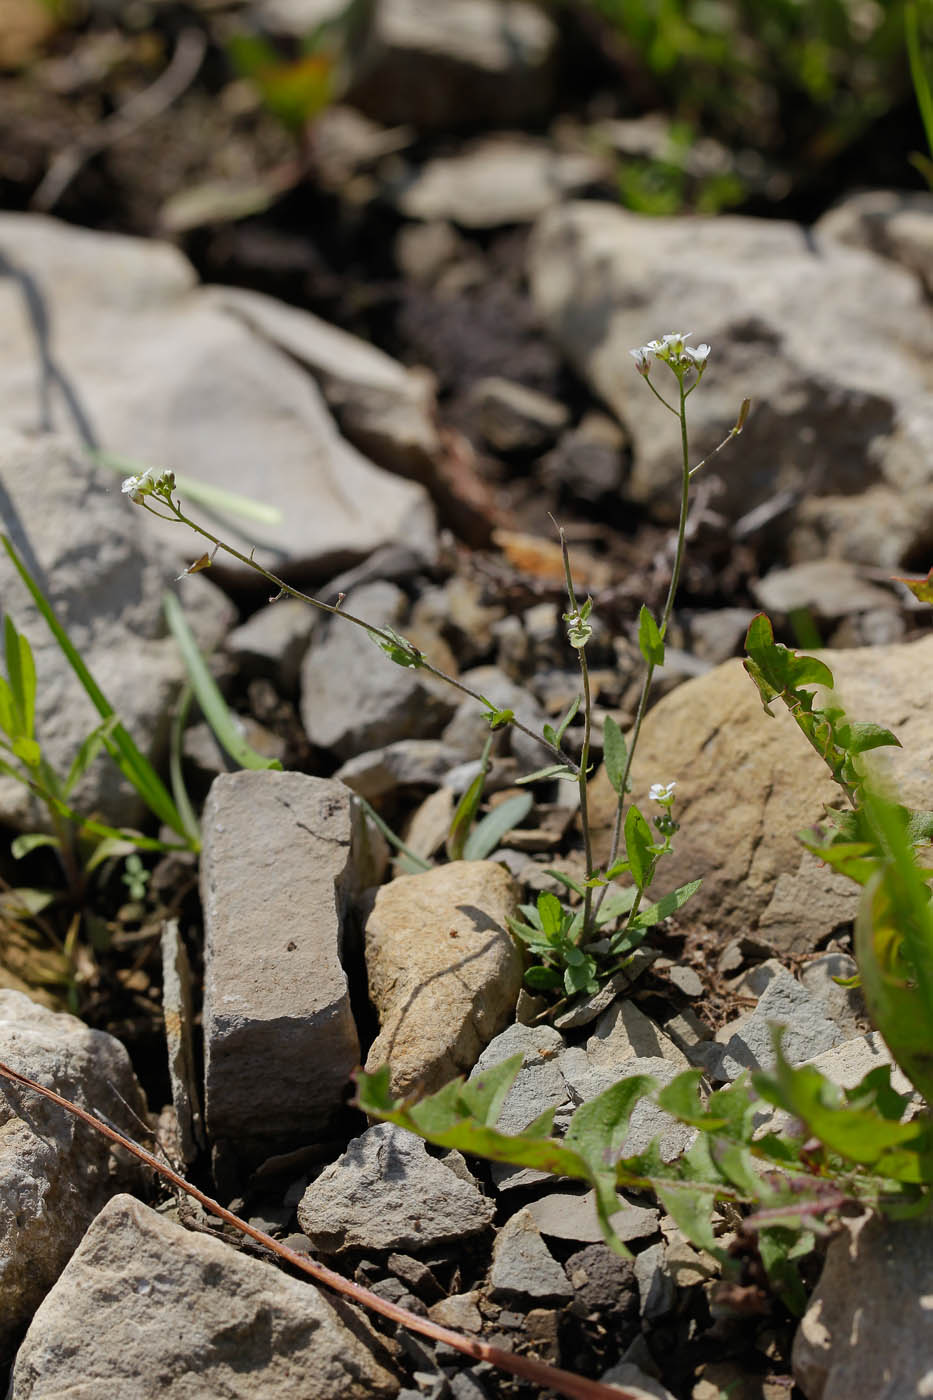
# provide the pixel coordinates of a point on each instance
(541, 1374)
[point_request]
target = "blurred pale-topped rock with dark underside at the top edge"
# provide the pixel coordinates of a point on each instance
(456, 65)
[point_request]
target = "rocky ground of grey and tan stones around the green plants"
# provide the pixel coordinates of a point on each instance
(415, 351)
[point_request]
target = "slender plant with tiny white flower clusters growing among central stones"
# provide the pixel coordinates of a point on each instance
(576, 948)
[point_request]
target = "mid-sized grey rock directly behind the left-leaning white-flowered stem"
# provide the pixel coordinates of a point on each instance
(354, 698)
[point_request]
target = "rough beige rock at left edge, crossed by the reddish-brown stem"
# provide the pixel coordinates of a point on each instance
(57, 1171)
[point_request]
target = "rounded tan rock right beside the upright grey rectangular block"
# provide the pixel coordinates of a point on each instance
(443, 971)
